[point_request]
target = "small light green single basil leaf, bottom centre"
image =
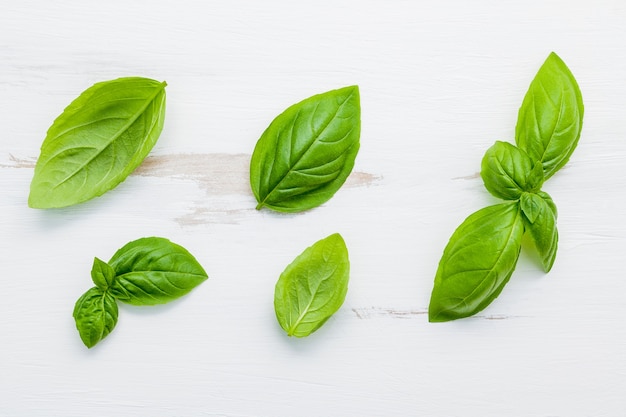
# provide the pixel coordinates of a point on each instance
(312, 287)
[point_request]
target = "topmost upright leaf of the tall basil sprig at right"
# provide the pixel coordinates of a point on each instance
(551, 116)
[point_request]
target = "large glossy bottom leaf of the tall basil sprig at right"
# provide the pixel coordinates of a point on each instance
(477, 262)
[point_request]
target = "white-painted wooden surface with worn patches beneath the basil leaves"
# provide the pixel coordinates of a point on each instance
(440, 82)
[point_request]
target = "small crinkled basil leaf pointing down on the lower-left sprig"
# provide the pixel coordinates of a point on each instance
(95, 314)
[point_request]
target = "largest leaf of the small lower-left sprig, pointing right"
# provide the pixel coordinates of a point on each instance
(154, 270)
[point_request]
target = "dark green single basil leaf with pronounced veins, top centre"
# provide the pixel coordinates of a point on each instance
(307, 152)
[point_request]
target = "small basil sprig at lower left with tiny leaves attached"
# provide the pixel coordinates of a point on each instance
(147, 271)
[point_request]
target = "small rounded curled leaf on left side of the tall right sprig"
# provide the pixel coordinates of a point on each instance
(507, 171)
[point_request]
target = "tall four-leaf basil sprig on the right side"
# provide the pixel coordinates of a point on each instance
(483, 251)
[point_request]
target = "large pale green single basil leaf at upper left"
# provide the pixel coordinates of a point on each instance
(100, 138)
